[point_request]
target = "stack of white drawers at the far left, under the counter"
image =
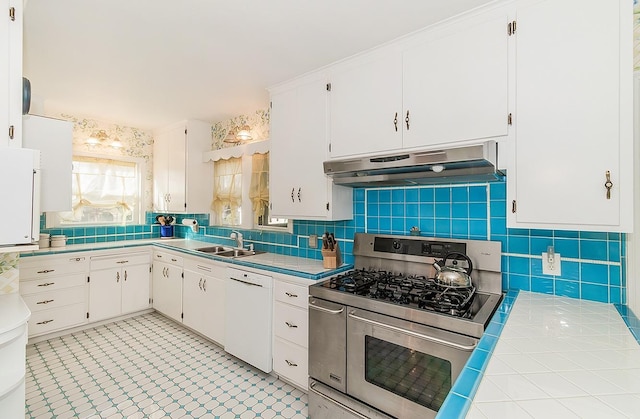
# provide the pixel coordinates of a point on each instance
(54, 287)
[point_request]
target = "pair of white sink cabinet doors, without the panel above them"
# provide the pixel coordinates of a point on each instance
(204, 304)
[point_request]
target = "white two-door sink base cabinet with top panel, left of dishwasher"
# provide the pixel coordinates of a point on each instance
(204, 298)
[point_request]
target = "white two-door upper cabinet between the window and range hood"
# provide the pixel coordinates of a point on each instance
(298, 187)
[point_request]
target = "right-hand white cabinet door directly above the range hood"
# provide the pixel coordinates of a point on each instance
(455, 87)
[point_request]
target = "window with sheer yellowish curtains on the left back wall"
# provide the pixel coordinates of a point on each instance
(104, 191)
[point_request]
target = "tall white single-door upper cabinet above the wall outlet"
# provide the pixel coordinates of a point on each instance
(573, 116)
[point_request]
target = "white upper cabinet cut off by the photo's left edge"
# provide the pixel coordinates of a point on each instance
(11, 74)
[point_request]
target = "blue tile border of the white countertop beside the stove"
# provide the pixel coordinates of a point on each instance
(458, 402)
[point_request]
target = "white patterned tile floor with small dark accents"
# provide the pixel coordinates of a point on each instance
(149, 367)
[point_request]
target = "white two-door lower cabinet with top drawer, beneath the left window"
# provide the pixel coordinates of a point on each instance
(119, 284)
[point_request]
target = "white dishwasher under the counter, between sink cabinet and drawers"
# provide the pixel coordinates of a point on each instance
(248, 317)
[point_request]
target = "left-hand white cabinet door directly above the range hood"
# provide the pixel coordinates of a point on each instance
(365, 99)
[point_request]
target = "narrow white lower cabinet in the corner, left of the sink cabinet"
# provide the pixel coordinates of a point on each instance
(167, 284)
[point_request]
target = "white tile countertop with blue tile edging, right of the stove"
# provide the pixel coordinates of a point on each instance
(548, 356)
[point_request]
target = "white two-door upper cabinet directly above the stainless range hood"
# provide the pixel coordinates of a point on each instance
(443, 86)
